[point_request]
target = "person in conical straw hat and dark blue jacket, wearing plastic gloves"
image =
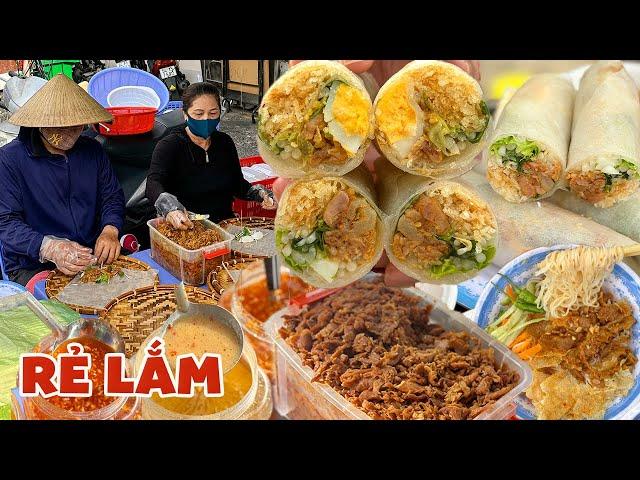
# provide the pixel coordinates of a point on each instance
(60, 201)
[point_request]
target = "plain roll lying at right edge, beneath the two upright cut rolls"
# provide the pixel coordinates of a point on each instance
(623, 217)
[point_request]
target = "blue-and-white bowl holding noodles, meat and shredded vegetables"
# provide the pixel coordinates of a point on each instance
(623, 283)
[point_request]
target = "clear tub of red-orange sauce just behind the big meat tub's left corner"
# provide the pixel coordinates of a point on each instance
(254, 327)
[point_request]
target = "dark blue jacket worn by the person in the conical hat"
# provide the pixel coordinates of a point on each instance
(45, 194)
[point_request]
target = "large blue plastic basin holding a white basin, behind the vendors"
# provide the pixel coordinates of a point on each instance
(106, 80)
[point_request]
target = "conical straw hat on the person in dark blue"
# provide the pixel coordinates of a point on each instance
(60, 103)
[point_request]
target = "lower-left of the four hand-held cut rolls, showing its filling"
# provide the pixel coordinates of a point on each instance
(329, 229)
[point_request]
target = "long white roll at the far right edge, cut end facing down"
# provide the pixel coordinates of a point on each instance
(604, 155)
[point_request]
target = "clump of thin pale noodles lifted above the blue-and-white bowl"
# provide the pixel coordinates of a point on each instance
(573, 278)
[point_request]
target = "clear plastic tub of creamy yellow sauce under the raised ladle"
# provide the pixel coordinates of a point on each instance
(257, 404)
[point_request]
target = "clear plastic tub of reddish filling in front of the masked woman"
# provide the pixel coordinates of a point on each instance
(190, 266)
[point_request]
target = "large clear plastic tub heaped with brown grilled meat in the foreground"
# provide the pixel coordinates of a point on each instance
(297, 397)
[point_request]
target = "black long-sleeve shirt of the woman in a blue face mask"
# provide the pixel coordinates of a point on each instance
(179, 167)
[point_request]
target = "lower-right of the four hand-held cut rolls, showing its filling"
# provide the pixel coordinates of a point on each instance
(436, 231)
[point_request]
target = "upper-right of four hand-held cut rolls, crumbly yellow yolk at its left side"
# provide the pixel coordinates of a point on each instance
(431, 119)
